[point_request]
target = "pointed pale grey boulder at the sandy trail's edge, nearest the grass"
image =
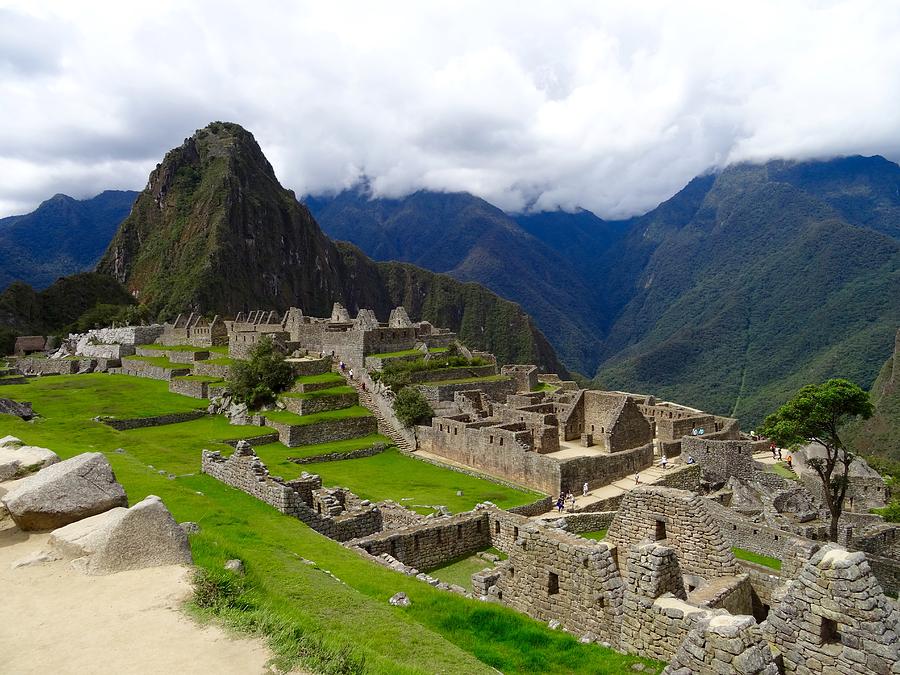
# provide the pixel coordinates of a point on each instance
(146, 535)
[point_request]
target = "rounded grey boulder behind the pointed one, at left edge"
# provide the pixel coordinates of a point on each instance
(65, 492)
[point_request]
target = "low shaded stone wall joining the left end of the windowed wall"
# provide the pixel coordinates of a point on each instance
(432, 544)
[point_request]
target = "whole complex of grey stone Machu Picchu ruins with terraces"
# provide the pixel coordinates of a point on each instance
(689, 503)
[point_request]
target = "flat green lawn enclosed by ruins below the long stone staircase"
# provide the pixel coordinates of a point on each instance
(412, 482)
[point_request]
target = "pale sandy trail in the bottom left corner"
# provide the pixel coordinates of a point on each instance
(57, 620)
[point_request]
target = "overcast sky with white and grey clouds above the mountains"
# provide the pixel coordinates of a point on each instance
(611, 106)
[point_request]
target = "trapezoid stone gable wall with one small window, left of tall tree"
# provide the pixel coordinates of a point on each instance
(679, 519)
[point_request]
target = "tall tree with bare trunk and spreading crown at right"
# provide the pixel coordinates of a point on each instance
(815, 415)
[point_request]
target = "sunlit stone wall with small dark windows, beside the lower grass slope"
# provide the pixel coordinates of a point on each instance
(551, 574)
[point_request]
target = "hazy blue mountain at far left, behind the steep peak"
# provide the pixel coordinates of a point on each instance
(62, 236)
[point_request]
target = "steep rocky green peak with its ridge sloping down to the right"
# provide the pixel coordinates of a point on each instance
(215, 232)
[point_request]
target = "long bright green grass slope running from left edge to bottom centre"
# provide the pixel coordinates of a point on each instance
(336, 625)
